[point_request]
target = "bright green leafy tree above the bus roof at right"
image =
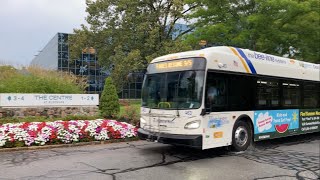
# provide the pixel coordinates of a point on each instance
(285, 27)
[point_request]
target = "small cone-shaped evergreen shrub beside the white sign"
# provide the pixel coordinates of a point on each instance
(109, 101)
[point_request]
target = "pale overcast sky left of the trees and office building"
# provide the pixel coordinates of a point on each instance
(26, 26)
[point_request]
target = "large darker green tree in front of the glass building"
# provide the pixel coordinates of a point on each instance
(129, 34)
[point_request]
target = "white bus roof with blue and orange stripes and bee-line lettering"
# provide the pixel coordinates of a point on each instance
(227, 58)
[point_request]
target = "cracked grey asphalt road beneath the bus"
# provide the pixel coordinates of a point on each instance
(288, 158)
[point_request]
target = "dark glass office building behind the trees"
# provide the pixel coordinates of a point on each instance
(55, 55)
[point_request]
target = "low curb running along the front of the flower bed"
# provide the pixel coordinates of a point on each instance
(66, 145)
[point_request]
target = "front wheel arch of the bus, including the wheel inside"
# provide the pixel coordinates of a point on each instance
(242, 133)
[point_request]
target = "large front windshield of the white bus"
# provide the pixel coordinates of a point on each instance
(173, 90)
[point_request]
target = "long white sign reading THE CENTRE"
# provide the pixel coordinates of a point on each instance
(26, 100)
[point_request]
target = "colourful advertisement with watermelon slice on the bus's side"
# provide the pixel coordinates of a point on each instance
(280, 123)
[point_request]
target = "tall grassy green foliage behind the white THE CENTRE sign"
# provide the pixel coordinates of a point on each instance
(36, 80)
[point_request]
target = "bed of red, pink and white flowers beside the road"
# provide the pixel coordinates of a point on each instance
(41, 133)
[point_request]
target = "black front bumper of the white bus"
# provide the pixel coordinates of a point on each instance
(194, 141)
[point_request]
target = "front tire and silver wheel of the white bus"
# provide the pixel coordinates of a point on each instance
(241, 136)
